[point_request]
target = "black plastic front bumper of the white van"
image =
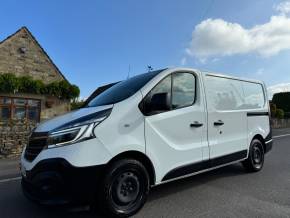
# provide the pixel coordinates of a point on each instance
(55, 181)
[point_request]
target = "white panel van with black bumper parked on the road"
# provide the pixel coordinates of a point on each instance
(148, 130)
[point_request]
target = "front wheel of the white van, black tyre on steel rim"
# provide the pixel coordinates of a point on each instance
(125, 188)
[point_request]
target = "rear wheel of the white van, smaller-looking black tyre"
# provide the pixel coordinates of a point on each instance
(255, 160)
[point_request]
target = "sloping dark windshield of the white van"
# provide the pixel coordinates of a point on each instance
(122, 90)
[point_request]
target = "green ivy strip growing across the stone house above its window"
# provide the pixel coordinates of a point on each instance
(9, 83)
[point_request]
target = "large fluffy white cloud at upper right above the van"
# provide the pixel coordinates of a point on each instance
(217, 37)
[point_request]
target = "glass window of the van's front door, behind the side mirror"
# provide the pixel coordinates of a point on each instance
(178, 87)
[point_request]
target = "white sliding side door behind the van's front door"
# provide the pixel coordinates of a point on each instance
(227, 119)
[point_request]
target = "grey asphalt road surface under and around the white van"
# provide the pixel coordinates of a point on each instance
(226, 192)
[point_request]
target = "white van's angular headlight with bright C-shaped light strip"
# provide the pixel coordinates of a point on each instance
(75, 131)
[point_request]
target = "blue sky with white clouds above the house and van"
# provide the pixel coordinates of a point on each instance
(96, 42)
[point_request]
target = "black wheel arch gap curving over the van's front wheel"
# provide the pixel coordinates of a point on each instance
(144, 159)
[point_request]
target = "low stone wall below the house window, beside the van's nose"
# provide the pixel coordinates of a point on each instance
(13, 137)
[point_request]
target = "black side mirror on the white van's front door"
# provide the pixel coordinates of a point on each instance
(160, 102)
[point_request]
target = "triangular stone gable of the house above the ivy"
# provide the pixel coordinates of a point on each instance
(21, 55)
